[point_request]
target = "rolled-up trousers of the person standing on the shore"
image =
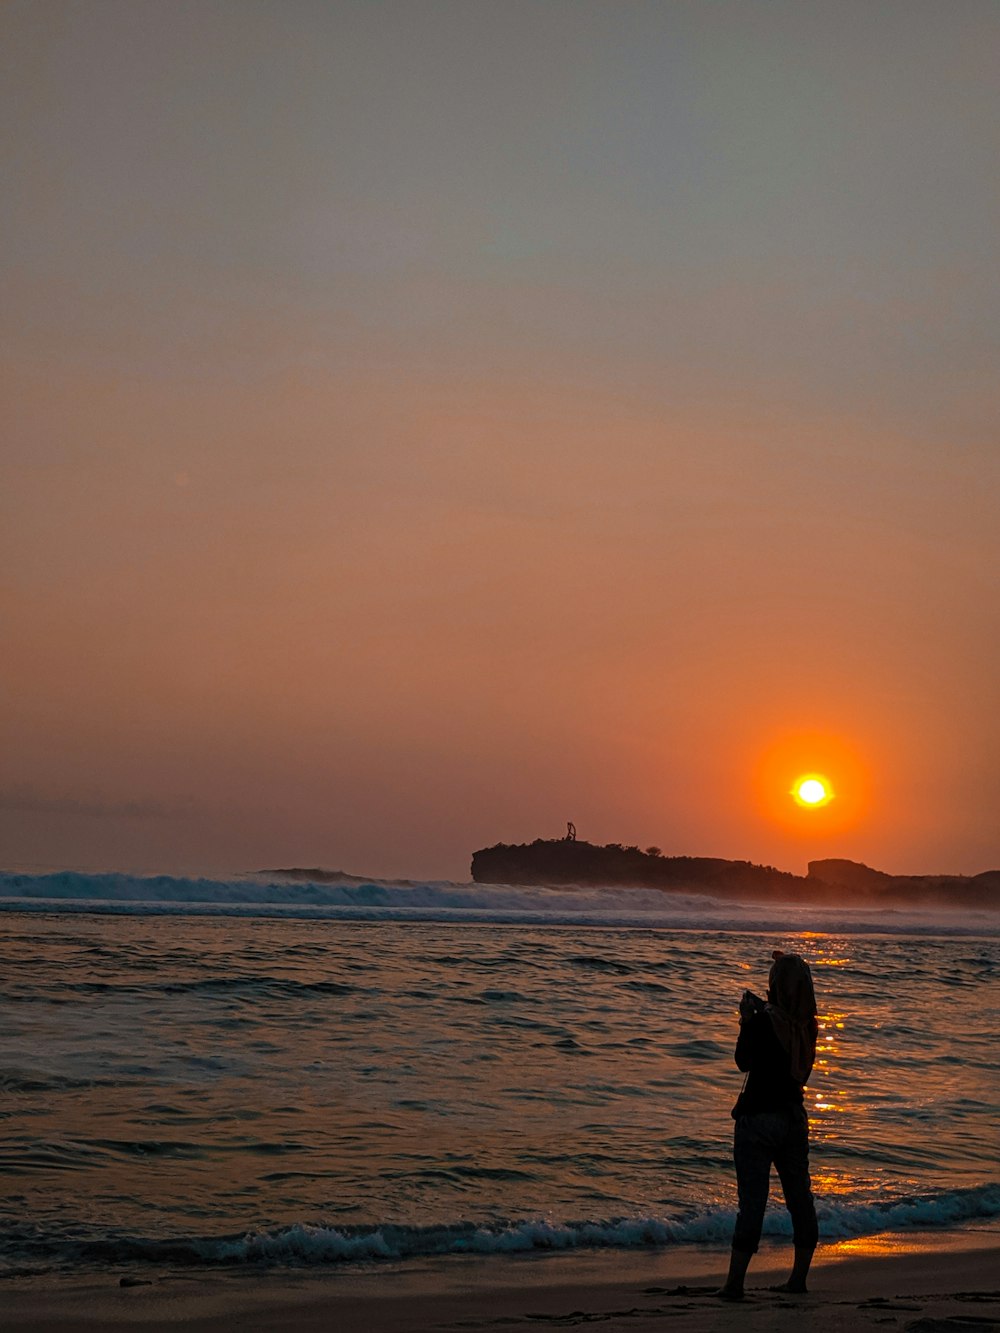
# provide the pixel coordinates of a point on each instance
(781, 1138)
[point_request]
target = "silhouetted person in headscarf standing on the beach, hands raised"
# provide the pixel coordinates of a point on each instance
(777, 1050)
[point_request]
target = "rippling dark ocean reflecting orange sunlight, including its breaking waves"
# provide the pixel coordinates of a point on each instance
(258, 1072)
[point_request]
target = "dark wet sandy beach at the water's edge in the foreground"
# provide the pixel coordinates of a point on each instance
(946, 1283)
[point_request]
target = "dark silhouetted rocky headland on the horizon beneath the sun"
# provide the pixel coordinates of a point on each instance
(566, 862)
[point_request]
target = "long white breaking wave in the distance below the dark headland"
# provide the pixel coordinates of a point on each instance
(443, 900)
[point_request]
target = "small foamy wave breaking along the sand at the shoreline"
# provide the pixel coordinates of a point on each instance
(315, 1244)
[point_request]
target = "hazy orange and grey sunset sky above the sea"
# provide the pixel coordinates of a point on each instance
(430, 422)
